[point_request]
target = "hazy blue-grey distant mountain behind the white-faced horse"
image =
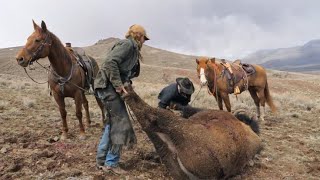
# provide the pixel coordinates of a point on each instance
(304, 58)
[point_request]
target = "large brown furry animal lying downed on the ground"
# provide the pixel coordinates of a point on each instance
(209, 145)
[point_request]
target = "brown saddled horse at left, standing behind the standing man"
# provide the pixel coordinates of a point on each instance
(66, 78)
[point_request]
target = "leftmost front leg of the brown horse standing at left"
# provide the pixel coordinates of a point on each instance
(63, 114)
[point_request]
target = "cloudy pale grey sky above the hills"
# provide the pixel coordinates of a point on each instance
(219, 28)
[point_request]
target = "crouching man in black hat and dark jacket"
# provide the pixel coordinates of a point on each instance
(178, 93)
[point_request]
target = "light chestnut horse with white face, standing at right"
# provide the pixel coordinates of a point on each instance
(213, 74)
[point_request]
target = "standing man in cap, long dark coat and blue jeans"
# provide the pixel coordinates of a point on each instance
(119, 67)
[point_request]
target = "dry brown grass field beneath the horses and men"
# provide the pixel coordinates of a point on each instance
(30, 126)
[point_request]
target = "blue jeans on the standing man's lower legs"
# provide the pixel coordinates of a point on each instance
(104, 155)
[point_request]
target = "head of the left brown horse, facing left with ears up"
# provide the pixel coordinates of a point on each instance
(37, 46)
